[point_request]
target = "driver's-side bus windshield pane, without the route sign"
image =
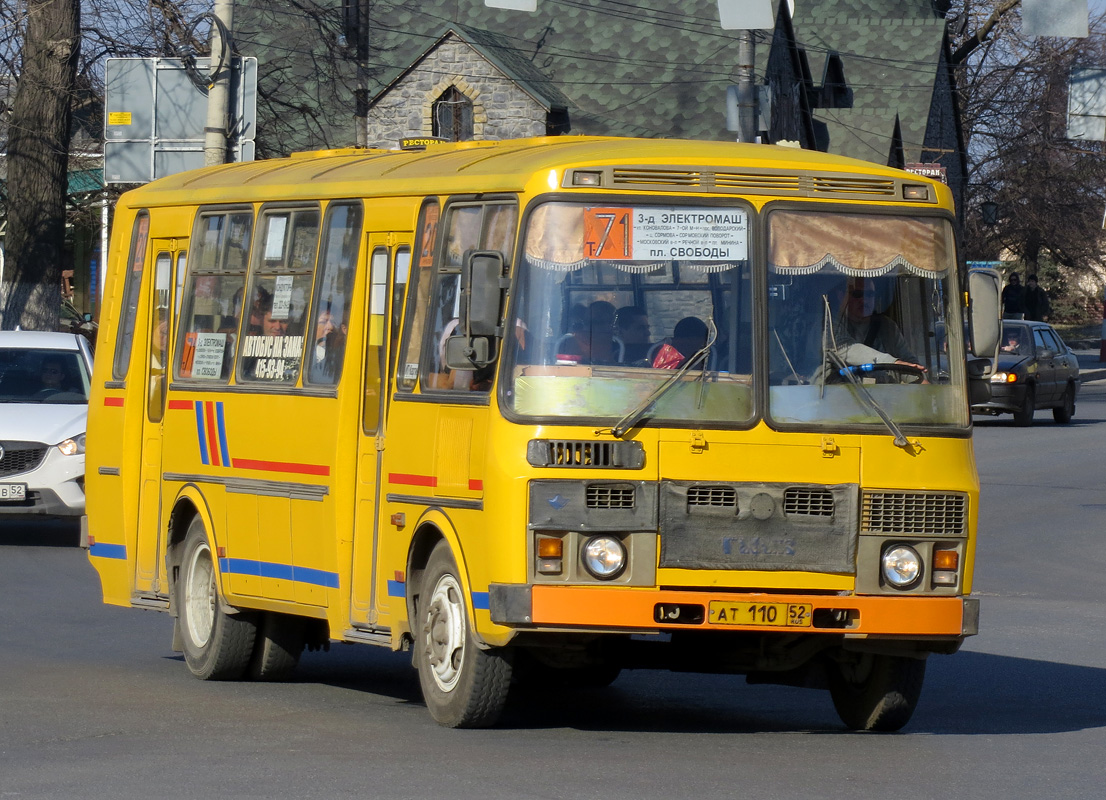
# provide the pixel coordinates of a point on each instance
(864, 320)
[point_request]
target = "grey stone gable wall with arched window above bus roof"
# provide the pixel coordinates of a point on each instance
(500, 110)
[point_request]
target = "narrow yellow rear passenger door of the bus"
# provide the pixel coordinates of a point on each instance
(151, 544)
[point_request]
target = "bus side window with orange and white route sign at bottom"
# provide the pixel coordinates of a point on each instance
(213, 306)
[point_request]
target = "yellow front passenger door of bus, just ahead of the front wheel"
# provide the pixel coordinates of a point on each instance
(390, 264)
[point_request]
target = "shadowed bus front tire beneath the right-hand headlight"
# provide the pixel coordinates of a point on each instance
(877, 692)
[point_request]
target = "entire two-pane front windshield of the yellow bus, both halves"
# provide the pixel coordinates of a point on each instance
(650, 308)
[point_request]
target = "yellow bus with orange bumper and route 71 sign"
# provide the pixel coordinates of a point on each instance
(539, 411)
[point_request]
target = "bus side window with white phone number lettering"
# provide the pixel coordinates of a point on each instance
(273, 347)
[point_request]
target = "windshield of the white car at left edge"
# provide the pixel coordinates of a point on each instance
(44, 376)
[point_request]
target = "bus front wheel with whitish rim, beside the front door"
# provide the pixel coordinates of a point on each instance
(463, 685)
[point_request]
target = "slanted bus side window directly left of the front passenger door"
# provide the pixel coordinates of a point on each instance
(338, 266)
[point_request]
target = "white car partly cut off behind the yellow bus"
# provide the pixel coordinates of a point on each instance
(44, 411)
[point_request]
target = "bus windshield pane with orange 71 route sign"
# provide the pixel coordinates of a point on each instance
(617, 305)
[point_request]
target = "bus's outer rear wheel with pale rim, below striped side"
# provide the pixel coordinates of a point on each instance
(218, 647)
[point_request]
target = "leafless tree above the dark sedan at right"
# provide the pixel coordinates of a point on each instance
(1049, 192)
